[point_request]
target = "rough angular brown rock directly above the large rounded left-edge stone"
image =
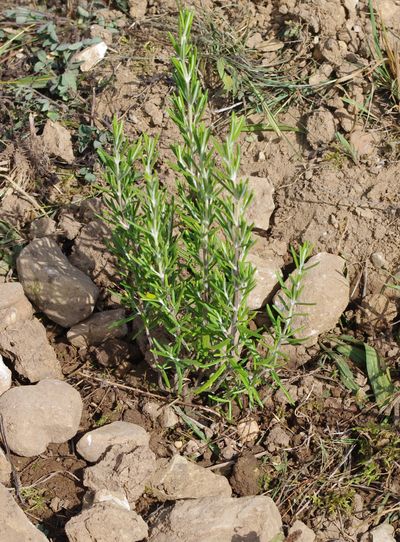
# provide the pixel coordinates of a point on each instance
(26, 345)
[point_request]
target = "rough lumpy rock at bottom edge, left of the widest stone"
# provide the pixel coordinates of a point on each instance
(105, 522)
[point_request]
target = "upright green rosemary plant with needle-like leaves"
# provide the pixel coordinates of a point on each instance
(183, 264)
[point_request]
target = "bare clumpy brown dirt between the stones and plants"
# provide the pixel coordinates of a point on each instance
(329, 459)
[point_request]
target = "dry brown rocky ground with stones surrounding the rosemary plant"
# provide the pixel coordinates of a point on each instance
(92, 449)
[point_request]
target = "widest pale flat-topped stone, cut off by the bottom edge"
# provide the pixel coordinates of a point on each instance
(218, 519)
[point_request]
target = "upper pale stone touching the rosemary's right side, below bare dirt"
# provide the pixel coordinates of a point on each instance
(262, 205)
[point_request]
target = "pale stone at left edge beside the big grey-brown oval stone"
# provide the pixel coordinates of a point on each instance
(14, 305)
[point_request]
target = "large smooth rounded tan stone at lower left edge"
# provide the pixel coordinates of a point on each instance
(35, 416)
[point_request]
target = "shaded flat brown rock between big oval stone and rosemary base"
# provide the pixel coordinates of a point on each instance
(98, 328)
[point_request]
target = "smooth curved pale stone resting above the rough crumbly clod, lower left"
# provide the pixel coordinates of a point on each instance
(94, 443)
